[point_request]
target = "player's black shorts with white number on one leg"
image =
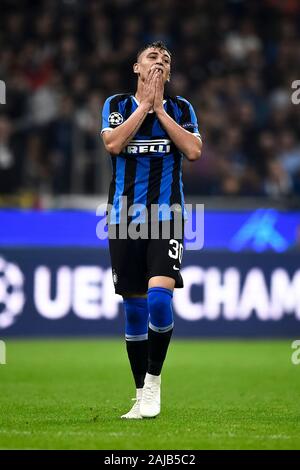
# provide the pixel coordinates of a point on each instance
(135, 261)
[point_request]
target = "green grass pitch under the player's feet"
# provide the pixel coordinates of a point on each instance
(69, 394)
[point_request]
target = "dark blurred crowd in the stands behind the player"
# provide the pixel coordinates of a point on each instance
(234, 60)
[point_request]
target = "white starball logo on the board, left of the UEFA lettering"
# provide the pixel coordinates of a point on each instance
(12, 297)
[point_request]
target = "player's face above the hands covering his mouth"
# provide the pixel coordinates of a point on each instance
(153, 57)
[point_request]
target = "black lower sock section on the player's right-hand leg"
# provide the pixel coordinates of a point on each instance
(157, 350)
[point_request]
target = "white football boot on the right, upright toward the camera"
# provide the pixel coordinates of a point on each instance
(150, 403)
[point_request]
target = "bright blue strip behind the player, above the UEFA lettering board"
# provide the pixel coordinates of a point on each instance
(260, 230)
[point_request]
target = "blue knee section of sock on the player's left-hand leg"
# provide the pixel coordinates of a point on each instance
(136, 318)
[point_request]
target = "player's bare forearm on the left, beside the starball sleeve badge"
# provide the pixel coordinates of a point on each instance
(119, 137)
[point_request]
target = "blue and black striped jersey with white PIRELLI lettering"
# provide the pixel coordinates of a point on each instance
(148, 171)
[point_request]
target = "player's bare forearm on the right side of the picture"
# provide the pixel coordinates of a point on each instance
(189, 144)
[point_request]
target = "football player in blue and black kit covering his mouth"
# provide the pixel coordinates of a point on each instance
(147, 135)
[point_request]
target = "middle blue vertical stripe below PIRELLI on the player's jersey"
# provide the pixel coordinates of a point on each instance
(141, 186)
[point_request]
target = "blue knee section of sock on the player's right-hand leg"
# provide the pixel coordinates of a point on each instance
(160, 308)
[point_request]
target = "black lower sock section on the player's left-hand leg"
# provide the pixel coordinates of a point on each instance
(138, 357)
